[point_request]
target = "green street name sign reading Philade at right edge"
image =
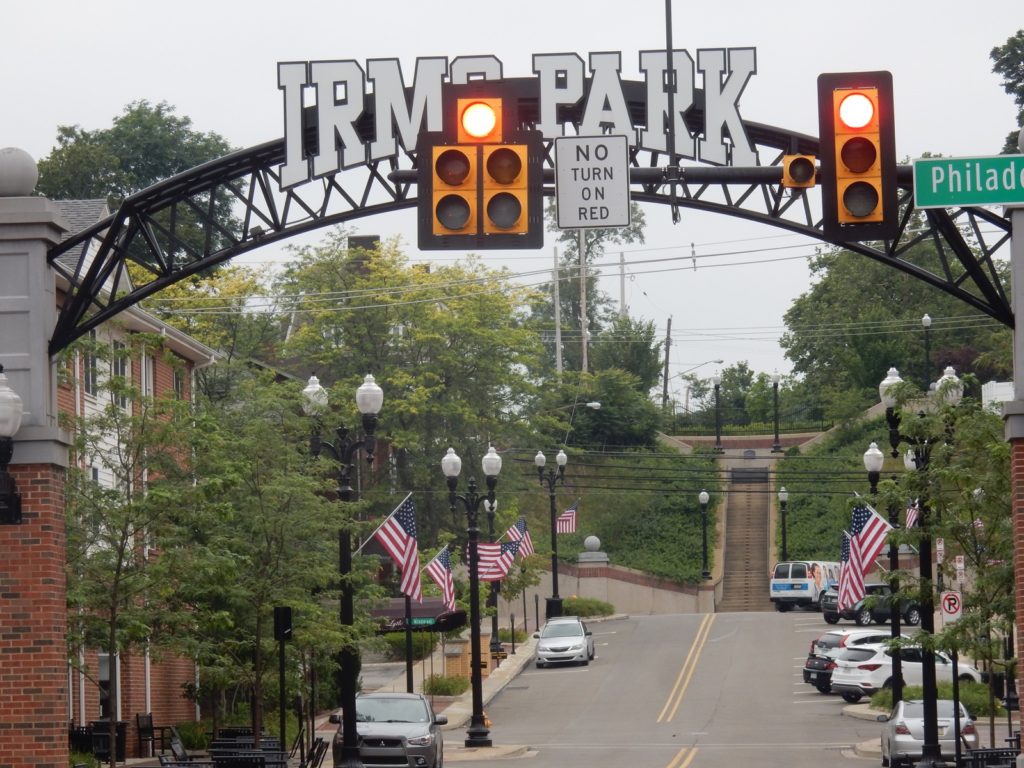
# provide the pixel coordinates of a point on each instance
(949, 183)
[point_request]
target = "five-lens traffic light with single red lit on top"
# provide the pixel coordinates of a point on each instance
(483, 185)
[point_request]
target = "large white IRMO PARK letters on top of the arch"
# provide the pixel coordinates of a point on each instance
(339, 93)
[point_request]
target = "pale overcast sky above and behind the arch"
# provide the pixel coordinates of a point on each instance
(73, 63)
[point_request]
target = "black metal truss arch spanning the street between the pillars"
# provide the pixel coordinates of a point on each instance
(178, 228)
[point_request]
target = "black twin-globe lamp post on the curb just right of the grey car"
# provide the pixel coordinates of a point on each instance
(478, 735)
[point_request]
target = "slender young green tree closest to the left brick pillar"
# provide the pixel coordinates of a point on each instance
(131, 471)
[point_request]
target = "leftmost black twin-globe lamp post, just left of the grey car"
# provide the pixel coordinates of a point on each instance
(369, 400)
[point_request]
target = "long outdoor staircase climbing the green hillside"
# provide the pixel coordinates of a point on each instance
(745, 586)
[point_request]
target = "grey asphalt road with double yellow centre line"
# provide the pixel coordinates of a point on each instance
(682, 692)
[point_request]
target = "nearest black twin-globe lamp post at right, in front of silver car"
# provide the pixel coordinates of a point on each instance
(951, 390)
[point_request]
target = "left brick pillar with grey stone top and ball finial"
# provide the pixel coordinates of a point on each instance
(33, 602)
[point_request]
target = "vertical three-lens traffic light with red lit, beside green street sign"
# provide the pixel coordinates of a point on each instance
(859, 156)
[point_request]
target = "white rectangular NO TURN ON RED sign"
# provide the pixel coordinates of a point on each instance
(592, 182)
